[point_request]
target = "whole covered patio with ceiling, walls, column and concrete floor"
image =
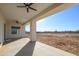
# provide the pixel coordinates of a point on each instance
(13, 17)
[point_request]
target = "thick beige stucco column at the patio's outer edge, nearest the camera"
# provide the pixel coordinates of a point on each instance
(33, 30)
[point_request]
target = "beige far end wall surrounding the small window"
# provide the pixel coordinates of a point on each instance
(21, 32)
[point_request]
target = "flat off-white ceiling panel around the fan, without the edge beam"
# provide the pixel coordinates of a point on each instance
(11, 12)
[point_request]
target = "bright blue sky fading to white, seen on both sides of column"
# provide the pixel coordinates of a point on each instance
(63, 21)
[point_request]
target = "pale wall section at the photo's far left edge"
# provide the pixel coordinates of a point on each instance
(2, 21)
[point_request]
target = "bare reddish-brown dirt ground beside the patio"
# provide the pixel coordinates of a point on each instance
(68, 42)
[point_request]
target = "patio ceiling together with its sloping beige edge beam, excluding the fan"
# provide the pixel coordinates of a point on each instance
(11, 12)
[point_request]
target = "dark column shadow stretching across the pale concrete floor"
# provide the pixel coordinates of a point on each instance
(27, 50)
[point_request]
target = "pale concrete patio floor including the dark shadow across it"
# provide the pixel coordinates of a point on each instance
(23, 47)
